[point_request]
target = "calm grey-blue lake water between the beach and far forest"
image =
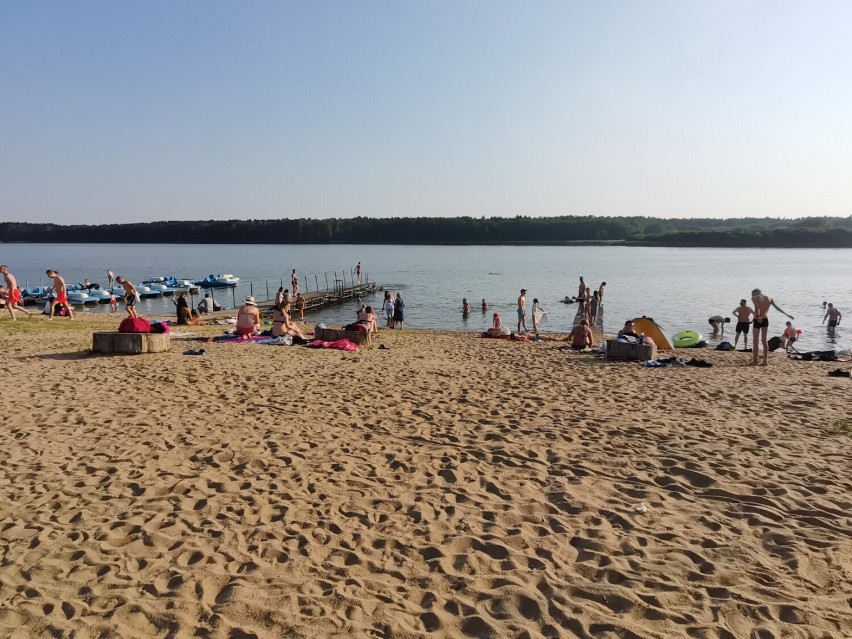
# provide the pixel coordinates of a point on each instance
(679, 287)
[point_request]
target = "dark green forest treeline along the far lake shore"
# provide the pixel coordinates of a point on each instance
(762, 232)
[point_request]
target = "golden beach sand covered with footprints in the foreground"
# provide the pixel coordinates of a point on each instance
(446, 486)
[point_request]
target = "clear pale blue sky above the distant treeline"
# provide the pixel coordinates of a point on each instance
(138, 111)
